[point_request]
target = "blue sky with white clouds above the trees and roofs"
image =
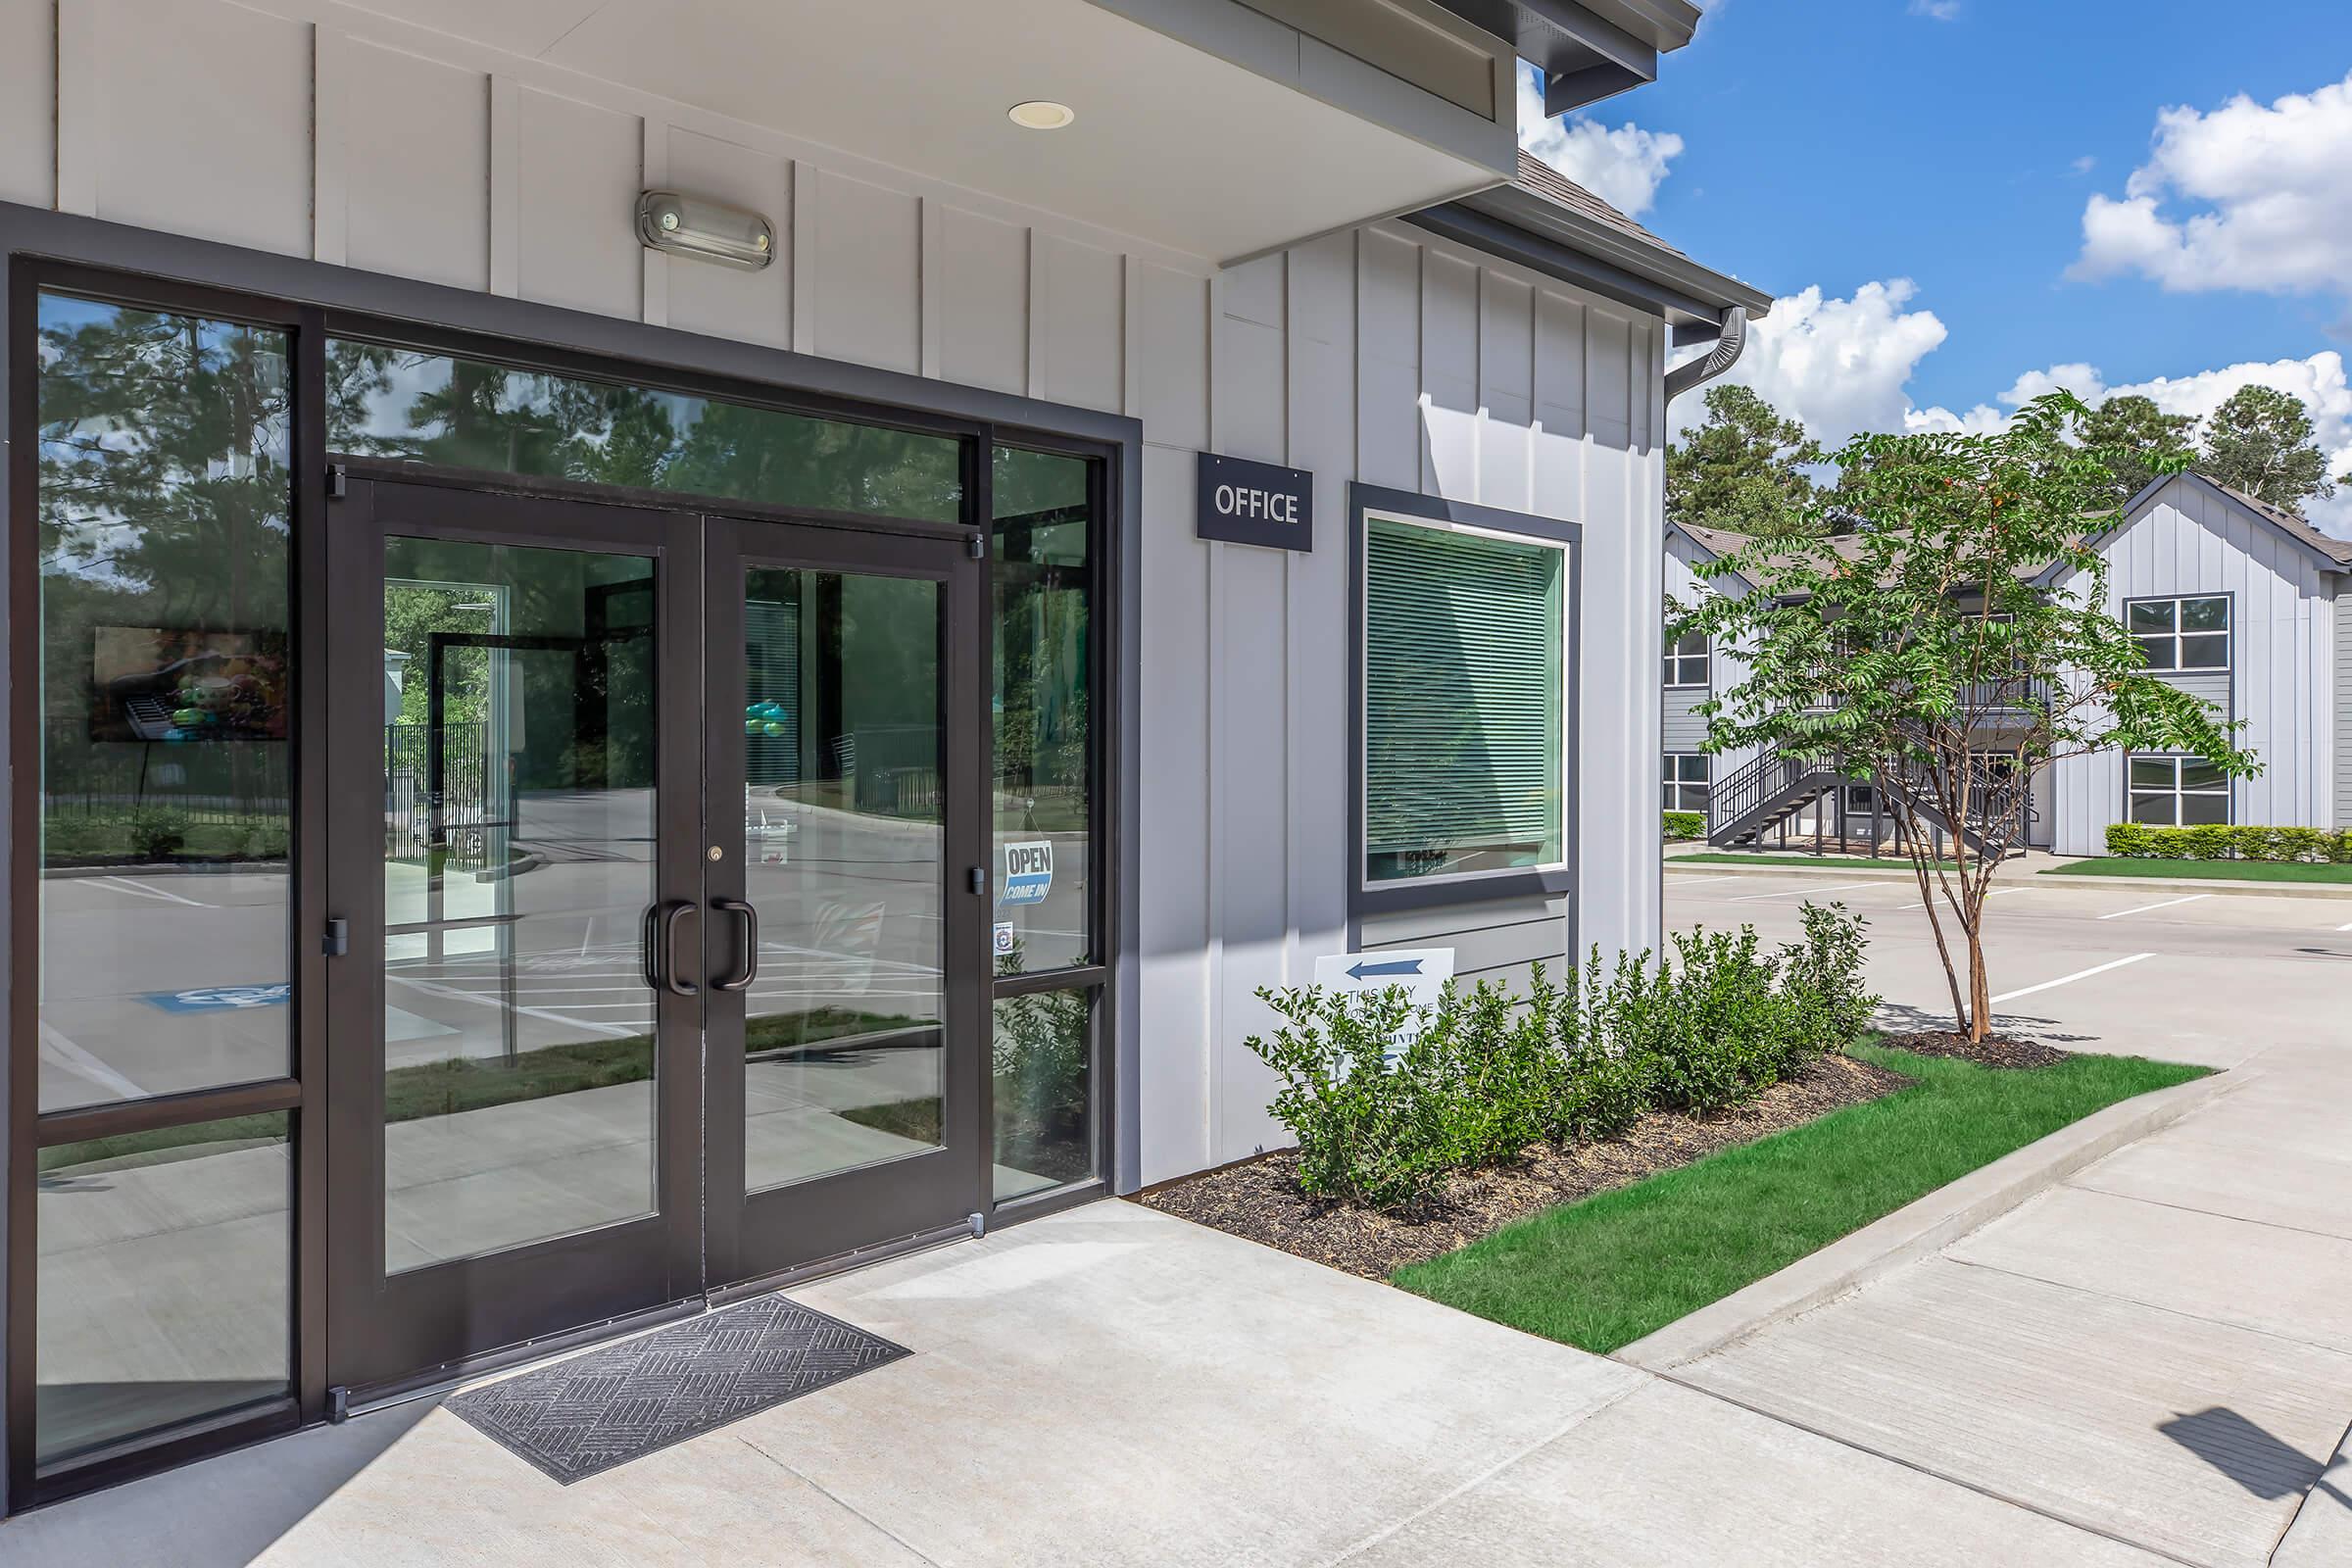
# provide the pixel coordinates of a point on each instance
(1927, 166)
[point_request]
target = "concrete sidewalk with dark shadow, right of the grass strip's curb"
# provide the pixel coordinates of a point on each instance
(2156, 1351)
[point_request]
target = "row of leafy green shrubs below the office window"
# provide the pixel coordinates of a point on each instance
(1389, 1099)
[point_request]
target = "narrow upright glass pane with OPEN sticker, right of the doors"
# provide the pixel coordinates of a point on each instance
(1043, 582)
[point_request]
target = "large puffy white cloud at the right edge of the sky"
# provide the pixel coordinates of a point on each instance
(2264, 189)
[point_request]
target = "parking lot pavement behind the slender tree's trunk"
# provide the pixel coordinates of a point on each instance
(2132, 970)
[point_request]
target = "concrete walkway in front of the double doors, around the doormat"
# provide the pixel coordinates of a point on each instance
(1107, 1388)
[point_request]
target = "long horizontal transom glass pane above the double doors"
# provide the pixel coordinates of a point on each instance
(425, 408)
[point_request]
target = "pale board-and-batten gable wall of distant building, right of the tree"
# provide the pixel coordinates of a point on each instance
(2191, 540)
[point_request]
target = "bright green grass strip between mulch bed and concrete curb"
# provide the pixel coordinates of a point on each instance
(1624, 1264)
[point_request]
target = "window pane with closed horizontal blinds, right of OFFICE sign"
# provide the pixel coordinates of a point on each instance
(1464, 702)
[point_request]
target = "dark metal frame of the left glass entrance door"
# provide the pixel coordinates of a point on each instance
(425, 1325)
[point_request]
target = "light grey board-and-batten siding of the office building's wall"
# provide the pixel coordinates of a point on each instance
(1384, 356)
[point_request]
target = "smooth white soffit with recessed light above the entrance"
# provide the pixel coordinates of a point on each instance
(1172, 145)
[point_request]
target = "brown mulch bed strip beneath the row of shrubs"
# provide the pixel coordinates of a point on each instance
(1262, 1200)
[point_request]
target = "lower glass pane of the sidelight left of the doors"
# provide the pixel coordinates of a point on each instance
(166, 1282)
